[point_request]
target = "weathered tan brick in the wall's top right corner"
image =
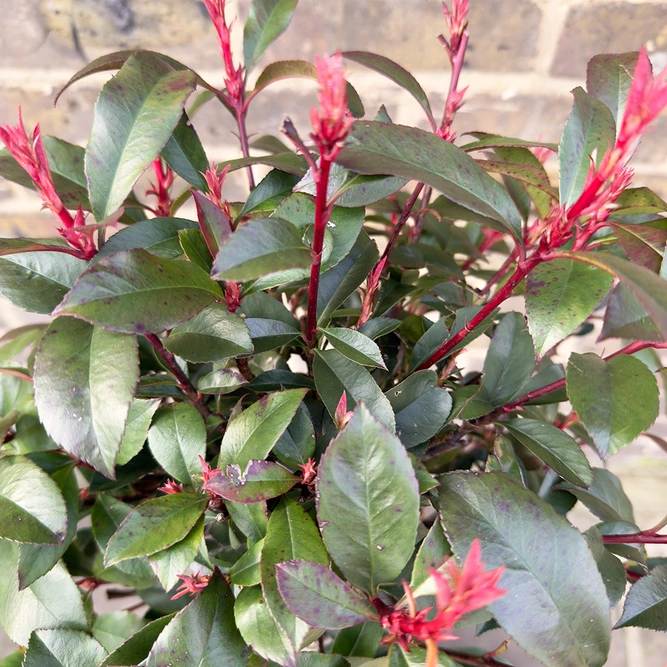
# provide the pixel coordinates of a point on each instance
(614, 27)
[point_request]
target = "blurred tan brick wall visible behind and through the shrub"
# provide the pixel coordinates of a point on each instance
(524, 58)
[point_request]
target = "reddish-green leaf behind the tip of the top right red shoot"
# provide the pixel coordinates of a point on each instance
(608, 79)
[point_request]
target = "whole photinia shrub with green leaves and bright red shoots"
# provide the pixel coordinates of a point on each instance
(258, 422)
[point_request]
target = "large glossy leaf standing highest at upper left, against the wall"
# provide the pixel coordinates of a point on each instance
(135, 115)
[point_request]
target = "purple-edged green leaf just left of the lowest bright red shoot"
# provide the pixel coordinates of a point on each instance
(321, 598)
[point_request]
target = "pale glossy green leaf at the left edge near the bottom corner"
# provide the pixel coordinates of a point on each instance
(53, 601)
